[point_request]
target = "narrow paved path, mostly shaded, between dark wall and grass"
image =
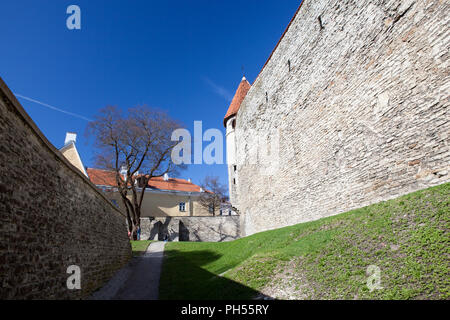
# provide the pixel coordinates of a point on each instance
(139, 280)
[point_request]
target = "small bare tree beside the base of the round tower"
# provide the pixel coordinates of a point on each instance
(215, 194)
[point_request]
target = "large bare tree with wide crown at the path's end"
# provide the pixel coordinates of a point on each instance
(137, 147)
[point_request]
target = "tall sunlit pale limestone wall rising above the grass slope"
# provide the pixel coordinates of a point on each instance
(356, 96)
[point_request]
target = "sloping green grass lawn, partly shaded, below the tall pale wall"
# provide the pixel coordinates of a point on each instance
(406, 238)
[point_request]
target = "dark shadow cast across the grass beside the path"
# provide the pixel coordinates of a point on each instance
(183, 277)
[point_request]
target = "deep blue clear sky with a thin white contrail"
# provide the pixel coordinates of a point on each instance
(185, 57)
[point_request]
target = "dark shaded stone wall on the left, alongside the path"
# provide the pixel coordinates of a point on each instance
(51, 216)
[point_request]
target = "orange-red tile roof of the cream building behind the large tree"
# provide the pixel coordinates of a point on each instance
(108, 178)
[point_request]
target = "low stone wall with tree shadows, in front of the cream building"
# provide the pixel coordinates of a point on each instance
(207, 229)
